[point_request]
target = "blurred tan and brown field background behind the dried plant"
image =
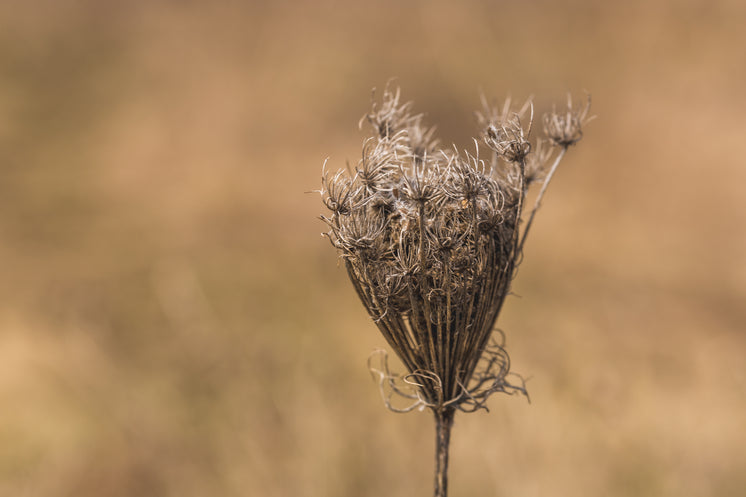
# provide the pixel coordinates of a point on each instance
(171, 322)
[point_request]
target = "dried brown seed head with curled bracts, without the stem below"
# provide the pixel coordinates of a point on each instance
(430, 238)
